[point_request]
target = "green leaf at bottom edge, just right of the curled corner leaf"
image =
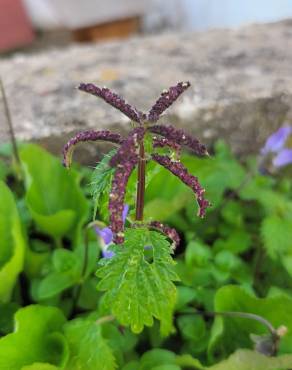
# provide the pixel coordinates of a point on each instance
(88, 348)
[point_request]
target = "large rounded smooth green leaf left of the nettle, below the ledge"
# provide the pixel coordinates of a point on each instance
(53, 195)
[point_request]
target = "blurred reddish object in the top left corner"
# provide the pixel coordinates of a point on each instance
(15, 26)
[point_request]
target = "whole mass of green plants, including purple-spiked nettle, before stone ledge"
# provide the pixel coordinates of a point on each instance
(112, 268)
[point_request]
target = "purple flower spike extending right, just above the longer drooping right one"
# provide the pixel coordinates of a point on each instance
(180, 137)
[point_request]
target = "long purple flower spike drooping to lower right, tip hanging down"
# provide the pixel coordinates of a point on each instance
(179, 170)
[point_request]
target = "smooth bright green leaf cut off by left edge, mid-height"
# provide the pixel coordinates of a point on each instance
(12, 243)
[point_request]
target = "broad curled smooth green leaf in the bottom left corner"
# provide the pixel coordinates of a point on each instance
(37, 338)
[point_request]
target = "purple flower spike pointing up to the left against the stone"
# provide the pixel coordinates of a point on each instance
(113, 99)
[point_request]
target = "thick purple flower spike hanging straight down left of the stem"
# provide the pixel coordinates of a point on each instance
(117, 196)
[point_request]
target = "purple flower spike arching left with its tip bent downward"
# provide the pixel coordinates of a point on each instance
(104, 135)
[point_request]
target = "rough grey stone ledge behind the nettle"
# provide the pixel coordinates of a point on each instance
(241, 85)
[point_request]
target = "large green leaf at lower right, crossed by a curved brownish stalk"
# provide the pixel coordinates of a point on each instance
(229, 333)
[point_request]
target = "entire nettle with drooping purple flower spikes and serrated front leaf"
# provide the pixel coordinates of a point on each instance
(137, 272)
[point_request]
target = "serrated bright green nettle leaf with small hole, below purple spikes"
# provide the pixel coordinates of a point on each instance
(136, 289)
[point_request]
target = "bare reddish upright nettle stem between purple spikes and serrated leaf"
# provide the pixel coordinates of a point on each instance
(140, 183)
